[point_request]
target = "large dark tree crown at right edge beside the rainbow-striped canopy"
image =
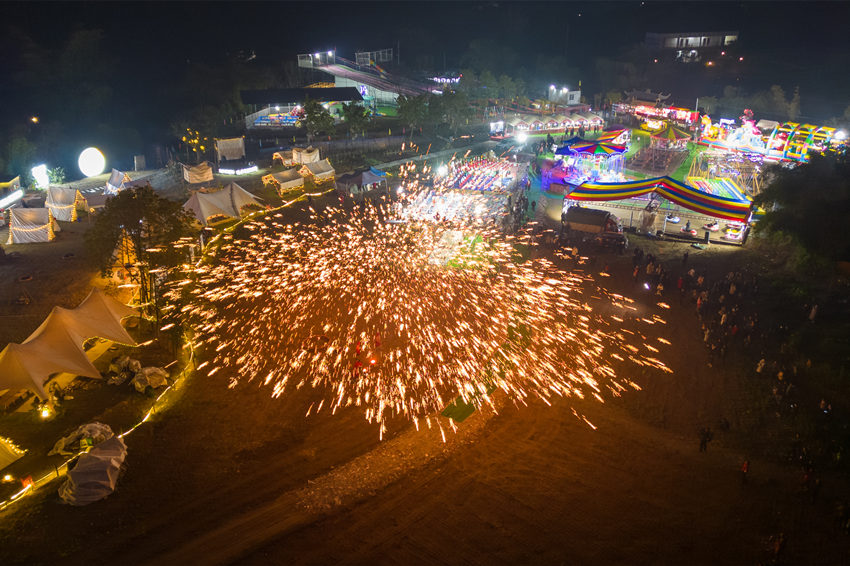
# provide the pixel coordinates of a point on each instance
(811, 203)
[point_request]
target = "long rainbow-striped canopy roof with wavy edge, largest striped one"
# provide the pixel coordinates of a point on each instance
(671, 189)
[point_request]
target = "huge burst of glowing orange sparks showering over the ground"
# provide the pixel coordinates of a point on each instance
(403, 317)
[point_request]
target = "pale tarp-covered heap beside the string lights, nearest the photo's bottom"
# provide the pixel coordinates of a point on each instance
(95, 474)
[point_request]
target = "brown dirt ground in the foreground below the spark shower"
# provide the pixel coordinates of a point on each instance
(232, 476)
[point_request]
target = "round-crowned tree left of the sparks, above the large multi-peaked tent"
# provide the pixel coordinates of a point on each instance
(147, 221)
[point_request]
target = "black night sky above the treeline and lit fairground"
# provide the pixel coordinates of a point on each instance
(792, 44)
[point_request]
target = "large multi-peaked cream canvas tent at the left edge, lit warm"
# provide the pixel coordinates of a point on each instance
(57, 345)
